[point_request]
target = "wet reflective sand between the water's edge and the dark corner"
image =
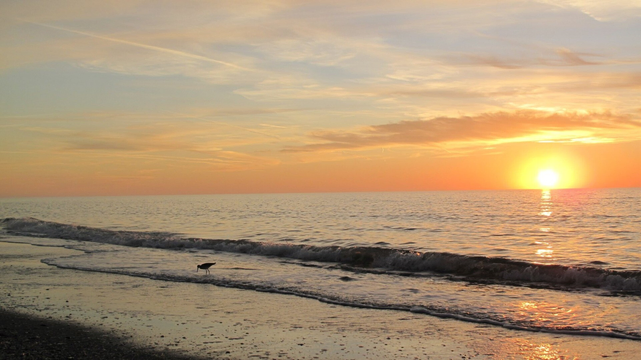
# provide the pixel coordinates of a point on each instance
(168, 319)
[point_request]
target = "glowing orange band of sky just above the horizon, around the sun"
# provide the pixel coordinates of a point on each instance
(603, 165)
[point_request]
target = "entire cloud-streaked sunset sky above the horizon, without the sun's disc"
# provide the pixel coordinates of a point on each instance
(142, 97)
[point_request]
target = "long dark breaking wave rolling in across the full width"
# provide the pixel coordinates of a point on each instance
(370, 259)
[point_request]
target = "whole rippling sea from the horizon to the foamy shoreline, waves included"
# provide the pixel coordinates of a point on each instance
(556, 261)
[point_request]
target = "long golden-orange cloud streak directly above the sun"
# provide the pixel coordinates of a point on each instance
(492, 128)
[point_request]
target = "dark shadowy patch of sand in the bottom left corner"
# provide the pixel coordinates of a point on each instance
(26, 337)
